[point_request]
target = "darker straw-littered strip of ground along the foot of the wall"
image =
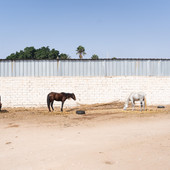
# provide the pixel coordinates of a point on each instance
(104, 111)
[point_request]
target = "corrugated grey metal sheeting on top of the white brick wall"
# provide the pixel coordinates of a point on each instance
(103, 67)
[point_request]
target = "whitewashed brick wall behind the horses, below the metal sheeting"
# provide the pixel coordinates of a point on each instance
(32, 91)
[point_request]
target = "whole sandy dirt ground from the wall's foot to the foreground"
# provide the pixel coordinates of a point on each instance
(106, 137)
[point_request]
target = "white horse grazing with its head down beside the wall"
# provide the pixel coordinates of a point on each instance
(140, 96)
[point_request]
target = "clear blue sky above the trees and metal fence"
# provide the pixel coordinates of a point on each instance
(108, 28)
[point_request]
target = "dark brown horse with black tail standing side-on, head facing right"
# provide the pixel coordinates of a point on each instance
(58, 97)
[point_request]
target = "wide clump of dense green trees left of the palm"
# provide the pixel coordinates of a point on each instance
(40, 53)
